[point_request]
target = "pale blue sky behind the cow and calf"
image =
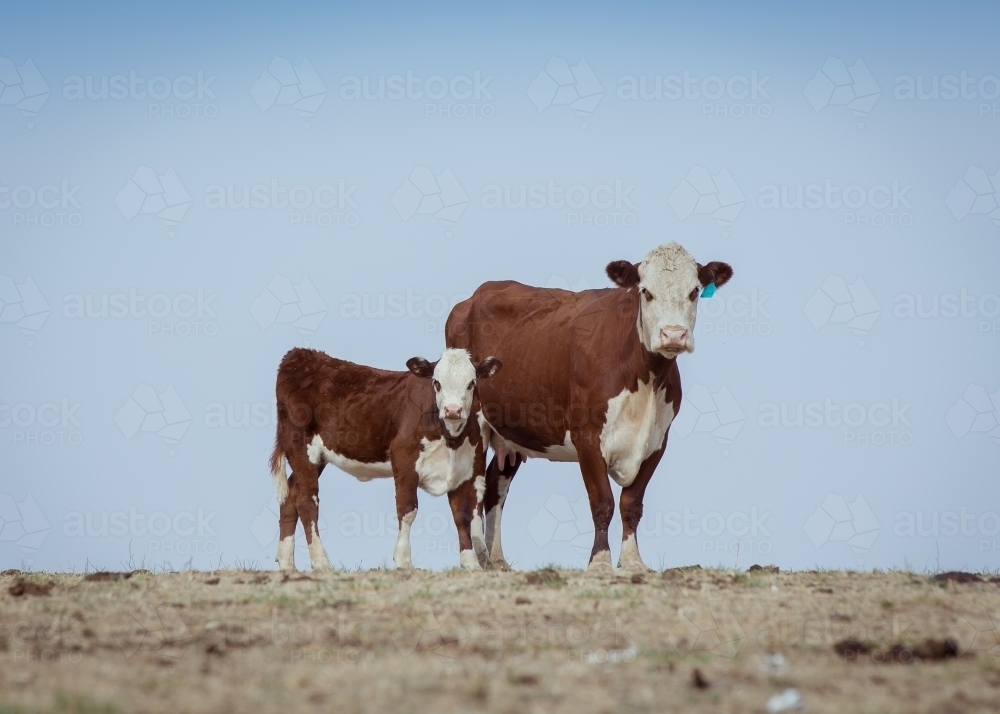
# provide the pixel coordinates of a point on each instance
(764, 106)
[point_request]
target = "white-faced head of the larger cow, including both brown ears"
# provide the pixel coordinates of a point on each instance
(669, 282)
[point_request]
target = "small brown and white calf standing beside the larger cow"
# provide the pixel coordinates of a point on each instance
(419, 427)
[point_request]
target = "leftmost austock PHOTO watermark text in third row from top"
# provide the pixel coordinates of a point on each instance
(174, 315)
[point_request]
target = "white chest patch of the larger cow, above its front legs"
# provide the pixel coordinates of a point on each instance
(635, 426)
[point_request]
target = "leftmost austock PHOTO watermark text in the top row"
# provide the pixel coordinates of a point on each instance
(166, 97)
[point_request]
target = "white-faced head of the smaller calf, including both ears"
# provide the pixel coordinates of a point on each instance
(454, 380)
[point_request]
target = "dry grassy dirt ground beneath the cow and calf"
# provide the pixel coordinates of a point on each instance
(546, 641)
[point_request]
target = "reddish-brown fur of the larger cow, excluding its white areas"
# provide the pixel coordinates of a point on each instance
(566, 355)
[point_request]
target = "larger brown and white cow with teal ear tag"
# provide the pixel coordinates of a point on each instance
(590, 377)
